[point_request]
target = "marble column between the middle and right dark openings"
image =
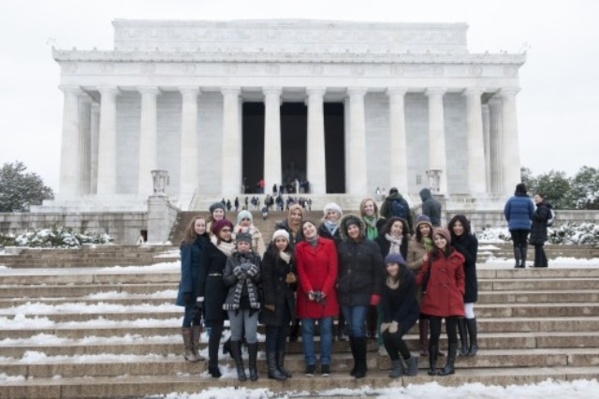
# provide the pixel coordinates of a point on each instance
(316, 168)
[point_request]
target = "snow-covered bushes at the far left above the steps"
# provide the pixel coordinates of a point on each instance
(55, 237)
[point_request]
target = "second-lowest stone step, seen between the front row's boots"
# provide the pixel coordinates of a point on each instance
(173, 364)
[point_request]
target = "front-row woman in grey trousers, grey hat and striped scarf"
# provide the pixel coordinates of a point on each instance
(242, 277)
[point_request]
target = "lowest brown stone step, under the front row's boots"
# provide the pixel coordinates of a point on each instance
(138, 386)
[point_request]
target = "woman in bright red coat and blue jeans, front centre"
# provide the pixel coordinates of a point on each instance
(316, 260)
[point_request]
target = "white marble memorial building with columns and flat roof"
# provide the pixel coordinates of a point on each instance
(346, 106)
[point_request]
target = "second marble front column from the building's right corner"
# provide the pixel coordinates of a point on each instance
(477, 179)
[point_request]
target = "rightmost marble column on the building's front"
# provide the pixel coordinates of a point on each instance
(511, 146)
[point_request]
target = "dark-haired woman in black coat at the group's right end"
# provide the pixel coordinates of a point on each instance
(466, 243)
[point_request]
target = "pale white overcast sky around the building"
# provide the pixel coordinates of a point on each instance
(558, 110)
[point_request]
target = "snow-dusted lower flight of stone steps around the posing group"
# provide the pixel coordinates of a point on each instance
(105, 332)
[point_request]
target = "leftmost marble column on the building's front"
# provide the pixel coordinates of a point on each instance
(70, 171)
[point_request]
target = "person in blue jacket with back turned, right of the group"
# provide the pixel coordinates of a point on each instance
(518, 212)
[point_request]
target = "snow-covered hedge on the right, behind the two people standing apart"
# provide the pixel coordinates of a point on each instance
(565, 234)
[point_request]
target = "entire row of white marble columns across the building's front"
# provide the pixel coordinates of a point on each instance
(492, 141)
